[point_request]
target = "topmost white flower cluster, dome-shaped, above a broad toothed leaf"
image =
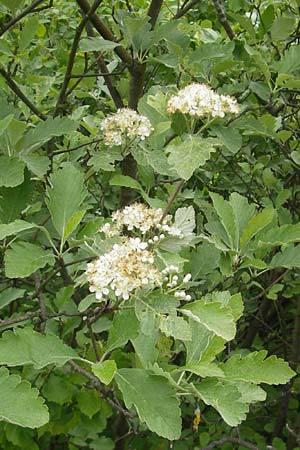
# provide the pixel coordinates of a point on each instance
(200, 100)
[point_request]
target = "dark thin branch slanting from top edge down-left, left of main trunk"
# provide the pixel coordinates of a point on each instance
(72, 55)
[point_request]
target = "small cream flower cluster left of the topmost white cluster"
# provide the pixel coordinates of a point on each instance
(126, 124)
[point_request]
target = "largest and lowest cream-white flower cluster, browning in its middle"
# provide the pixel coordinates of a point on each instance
(125, 268)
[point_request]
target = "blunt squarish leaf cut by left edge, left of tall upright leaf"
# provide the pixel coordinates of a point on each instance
(11, 171)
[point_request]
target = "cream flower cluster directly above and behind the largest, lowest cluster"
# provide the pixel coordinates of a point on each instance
(141, 218)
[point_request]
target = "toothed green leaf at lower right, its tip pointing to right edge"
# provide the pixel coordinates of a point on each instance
(256, 368)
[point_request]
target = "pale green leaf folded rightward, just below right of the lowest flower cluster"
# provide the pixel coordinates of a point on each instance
(213, 316)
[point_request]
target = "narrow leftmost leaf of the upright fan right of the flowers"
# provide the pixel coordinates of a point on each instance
(227, 217)
